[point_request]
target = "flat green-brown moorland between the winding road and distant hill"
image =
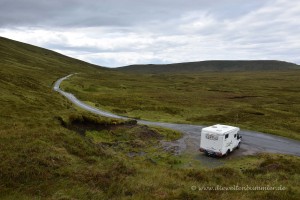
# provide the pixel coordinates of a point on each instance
(267, 101)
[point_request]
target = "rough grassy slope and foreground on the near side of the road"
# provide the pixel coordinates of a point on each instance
(49, 149)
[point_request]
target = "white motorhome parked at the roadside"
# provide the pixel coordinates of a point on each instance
(219, 139)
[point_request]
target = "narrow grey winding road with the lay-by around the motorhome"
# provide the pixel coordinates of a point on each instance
(252, 142)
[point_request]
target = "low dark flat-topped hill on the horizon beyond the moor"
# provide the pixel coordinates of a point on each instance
(218, 65)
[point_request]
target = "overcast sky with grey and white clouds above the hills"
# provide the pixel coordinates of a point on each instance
(122, 32)
